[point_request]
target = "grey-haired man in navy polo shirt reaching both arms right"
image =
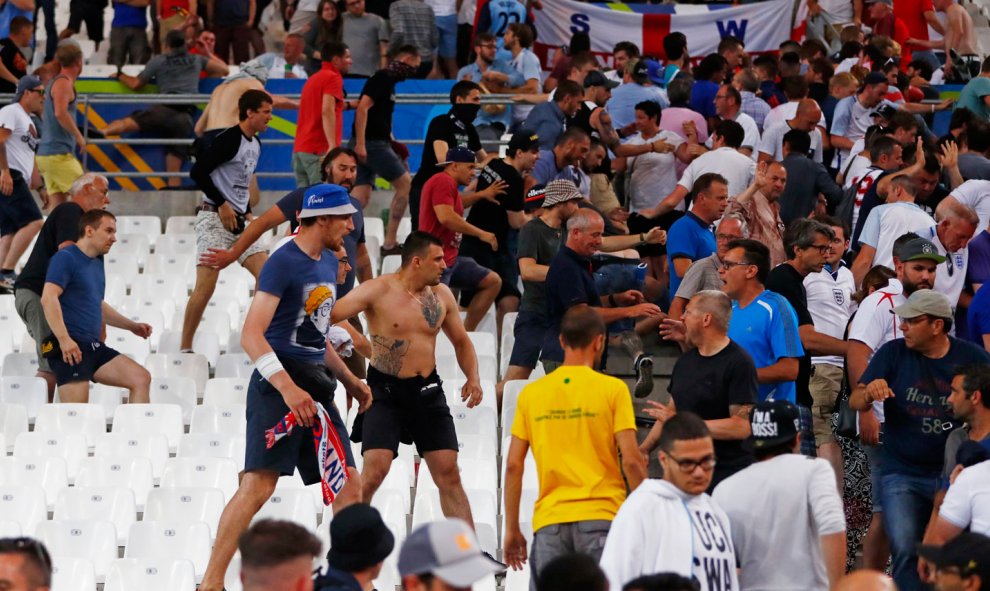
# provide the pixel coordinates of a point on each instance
(570, 283)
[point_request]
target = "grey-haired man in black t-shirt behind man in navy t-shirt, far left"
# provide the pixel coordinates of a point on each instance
(61, 229)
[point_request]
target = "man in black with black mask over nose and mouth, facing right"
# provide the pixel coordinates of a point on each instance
(453, 129)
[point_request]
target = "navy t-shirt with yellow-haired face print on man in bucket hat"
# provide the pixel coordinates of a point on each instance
(307, 290)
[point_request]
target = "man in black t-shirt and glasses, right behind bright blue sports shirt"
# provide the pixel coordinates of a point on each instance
(807, 243)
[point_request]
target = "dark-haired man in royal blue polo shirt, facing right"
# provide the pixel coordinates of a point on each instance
(690, 238)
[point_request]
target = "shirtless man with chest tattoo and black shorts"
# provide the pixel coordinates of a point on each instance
(405, 311)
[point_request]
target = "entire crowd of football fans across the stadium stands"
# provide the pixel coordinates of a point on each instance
(789, 224)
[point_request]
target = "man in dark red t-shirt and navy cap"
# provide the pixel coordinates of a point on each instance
(441, 214)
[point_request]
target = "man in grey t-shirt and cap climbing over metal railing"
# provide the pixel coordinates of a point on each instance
(175, 72)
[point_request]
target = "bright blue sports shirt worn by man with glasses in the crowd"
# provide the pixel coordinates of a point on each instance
(767, 329)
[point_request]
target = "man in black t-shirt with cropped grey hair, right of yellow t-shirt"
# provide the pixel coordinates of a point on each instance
(715, 379)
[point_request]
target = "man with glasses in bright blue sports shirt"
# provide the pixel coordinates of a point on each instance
(763, 322)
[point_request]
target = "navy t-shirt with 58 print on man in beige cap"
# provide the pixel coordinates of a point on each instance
(913, 439)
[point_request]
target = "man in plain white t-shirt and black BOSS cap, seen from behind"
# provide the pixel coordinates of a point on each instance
(806, 549)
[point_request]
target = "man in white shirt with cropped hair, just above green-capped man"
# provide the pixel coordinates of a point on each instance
(900, 214)
